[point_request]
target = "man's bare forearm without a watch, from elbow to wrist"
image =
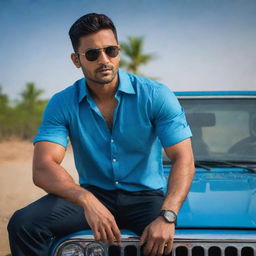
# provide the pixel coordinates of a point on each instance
(54, 179)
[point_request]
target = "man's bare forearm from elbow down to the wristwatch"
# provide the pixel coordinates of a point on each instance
(179, 183)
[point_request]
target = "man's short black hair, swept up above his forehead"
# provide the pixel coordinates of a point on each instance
(88, 24)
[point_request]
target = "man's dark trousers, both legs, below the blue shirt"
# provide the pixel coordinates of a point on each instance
(33, 229)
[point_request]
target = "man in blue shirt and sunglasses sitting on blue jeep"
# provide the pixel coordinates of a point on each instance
(115, 122)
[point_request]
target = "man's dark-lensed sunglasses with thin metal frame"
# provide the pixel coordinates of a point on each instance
(93, 54)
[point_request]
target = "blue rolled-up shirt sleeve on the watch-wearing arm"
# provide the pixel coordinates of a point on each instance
(169, 117)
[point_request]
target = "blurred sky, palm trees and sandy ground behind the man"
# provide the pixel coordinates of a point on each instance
(187, 45)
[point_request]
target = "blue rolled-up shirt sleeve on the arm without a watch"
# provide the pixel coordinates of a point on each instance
(54, 126)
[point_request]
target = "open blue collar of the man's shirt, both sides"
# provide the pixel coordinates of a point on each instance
(125, 85)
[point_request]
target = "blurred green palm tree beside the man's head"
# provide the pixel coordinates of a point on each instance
(133, 51)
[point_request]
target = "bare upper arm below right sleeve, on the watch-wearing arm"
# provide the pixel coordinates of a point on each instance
(181, 150)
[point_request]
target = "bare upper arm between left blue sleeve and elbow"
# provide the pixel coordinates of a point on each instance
(47, 151)
